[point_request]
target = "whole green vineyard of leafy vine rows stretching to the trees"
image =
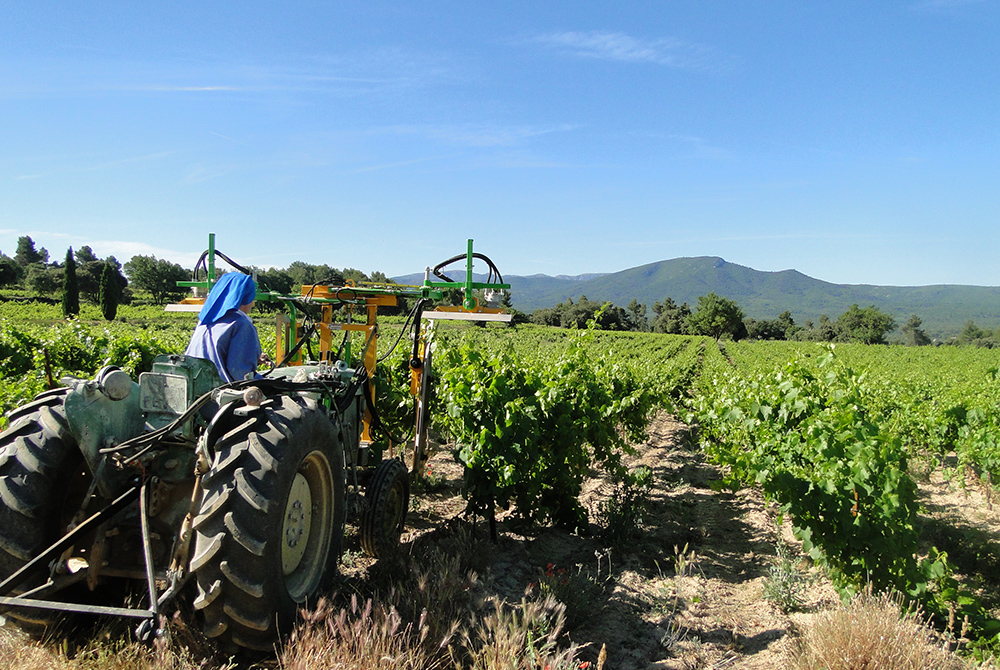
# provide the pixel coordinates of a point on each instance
(838, 440)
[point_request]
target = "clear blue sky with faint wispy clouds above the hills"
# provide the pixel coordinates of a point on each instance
(857, 142)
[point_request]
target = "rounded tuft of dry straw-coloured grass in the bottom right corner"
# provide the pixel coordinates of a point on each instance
(872, 633)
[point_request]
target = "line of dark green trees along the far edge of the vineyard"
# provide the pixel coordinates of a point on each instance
(106, 282)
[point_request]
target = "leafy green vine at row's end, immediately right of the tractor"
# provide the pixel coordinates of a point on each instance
(529, 435)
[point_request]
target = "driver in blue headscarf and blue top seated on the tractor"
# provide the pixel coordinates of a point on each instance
(225, 334)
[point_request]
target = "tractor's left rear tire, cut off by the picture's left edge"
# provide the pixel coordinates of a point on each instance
(38, 459)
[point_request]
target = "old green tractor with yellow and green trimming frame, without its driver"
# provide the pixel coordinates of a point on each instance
(233, 494)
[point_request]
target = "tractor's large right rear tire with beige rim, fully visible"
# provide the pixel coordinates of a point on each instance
(271, 523)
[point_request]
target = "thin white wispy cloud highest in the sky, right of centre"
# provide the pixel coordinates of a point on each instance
(666, 51)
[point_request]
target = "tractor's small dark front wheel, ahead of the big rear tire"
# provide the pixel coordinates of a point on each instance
(388, 497)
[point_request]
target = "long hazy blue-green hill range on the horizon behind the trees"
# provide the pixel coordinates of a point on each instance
(943, 308)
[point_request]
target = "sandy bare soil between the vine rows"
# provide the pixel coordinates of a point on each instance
(687, 591)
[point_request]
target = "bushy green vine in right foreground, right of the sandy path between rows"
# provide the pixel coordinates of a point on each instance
(823, 442)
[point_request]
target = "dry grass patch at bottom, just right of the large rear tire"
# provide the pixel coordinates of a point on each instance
(425, 615)
